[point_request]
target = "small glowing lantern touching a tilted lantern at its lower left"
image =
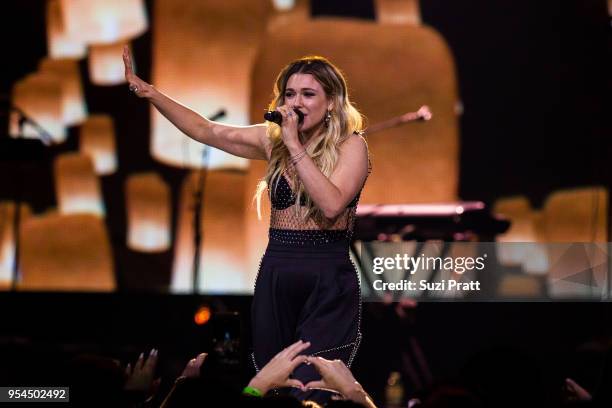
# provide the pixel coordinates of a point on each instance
(97, 140)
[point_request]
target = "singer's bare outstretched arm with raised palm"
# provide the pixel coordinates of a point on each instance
(250, 142)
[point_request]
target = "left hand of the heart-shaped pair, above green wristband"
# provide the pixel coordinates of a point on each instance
(276, 373)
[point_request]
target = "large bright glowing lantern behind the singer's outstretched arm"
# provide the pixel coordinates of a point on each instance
(211, 67)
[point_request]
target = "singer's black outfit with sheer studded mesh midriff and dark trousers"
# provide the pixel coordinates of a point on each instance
(307, 288)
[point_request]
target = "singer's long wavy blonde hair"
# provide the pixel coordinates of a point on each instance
(324, 149)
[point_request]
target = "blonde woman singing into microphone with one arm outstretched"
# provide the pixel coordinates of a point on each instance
(307, 288)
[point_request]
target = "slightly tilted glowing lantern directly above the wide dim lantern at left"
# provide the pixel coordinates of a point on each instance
(77, 186)
